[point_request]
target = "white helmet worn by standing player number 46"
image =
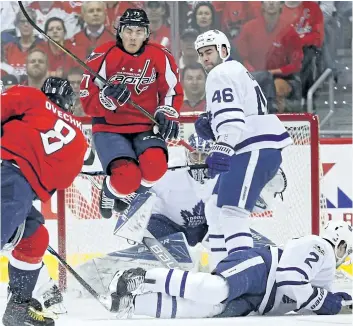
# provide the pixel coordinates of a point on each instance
(213, 37)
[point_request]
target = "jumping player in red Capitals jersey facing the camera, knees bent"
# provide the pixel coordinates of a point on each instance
(133, 156)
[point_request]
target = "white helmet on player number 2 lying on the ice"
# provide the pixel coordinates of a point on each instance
(339, 233)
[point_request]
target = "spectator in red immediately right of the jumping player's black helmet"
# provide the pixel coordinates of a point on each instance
(157, 14)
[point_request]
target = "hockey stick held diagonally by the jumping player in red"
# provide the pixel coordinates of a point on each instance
(94, 73)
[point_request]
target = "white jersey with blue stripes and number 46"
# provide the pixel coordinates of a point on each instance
(237, 110)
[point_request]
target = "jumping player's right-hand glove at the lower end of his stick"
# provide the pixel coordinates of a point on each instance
(169, 129)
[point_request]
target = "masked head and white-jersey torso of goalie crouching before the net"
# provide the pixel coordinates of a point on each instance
(181, 196)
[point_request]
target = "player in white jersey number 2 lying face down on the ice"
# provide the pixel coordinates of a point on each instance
(265, 280)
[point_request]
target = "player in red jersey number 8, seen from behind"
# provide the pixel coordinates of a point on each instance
(42, 150)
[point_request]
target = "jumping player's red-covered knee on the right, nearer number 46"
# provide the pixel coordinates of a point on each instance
(153, 164)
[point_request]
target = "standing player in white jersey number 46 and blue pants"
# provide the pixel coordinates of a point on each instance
(247, 152)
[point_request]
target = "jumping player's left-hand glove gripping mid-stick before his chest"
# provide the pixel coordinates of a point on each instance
(110, 94)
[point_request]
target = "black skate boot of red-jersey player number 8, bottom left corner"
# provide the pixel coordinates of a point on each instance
(22, 314)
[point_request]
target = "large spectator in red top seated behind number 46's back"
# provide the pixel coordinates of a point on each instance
(274, 47)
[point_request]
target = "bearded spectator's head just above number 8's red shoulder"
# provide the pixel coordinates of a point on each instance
(37, 68)
